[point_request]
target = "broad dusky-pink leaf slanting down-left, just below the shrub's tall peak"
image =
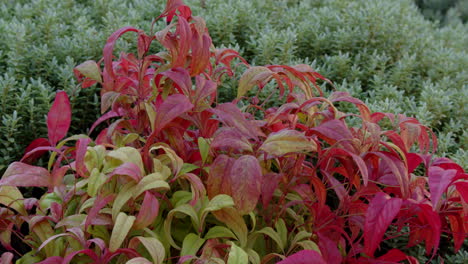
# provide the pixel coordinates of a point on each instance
(174, 106)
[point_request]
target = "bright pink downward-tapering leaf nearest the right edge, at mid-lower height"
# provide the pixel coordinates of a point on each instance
(439, 180)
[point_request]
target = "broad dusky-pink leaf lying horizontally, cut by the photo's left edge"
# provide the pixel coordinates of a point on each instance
(23, 175)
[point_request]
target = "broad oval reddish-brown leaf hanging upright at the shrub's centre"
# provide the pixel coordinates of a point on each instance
(246, 180)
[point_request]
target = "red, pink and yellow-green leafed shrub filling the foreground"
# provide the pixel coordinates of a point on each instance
(175, 177)
